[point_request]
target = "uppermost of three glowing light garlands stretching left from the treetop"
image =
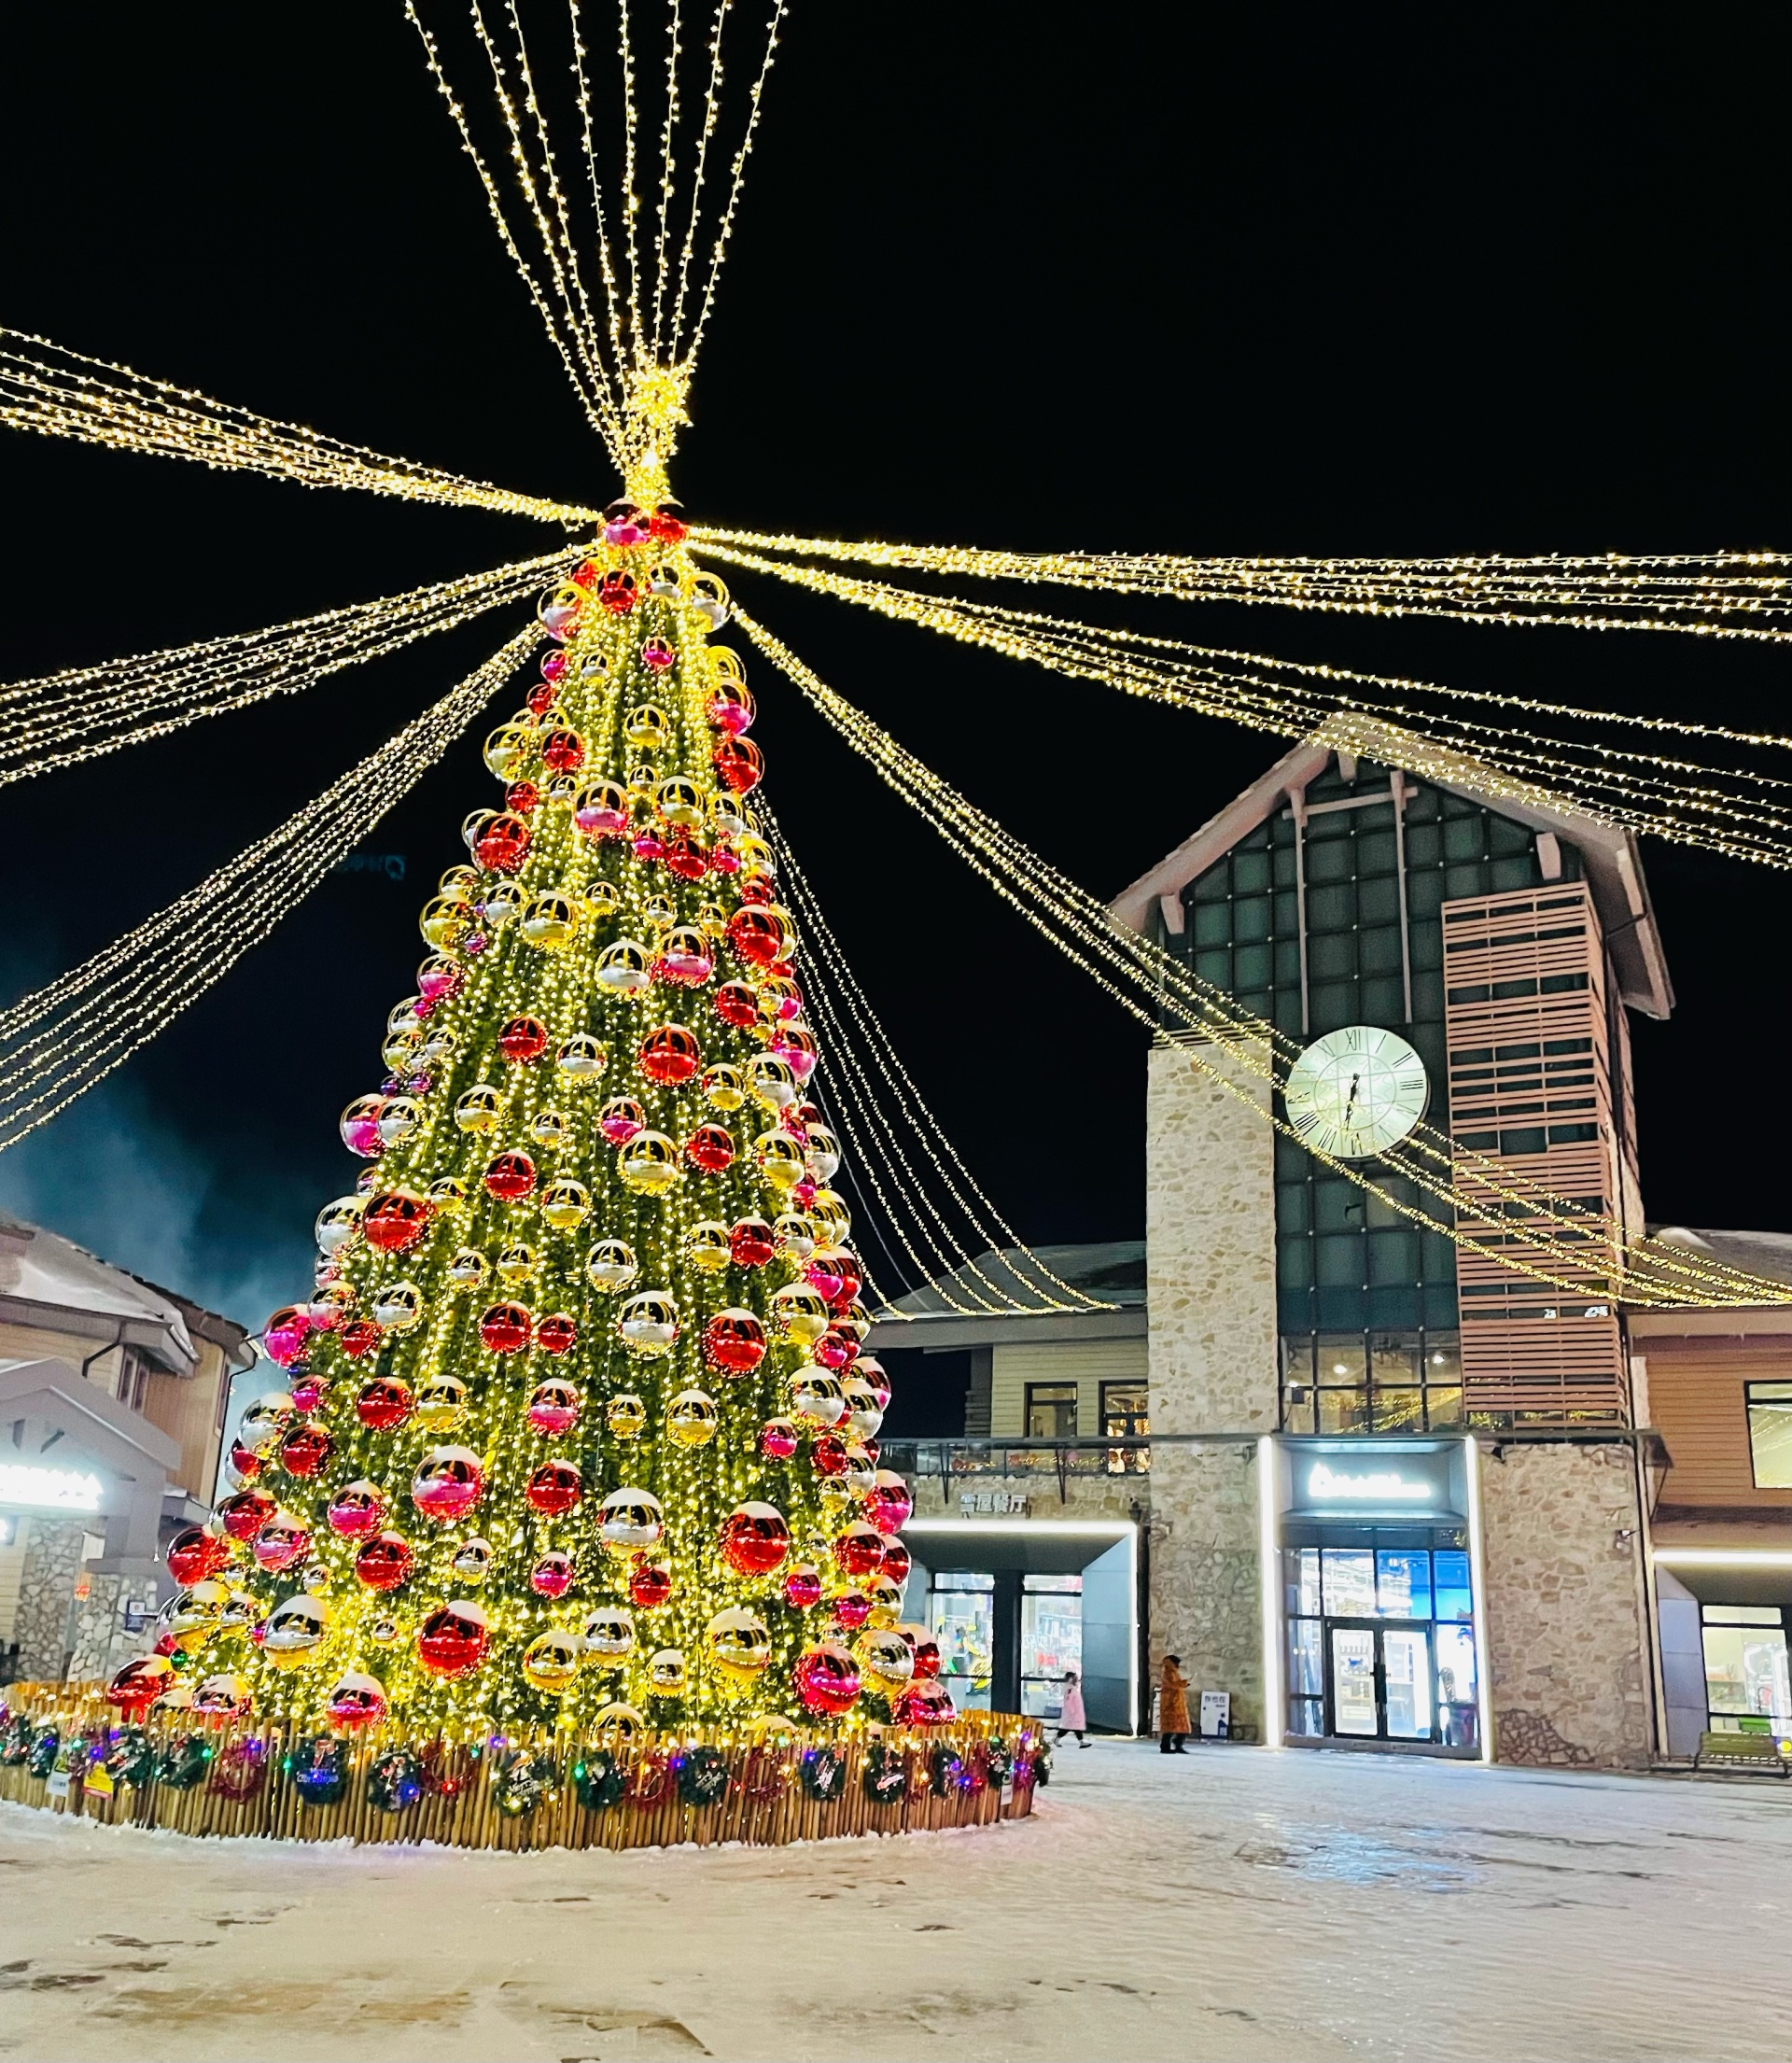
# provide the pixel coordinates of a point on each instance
(65, 395)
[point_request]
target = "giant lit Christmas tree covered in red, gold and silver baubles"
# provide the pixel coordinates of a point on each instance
(576, 1425)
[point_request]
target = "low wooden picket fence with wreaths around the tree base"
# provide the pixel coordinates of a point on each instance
(248, 1788)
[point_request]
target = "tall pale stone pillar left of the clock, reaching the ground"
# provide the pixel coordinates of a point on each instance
(1212, 1282)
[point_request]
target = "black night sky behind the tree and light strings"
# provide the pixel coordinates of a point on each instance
(1189, 280)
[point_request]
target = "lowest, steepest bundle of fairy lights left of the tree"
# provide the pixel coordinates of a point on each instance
(71, 1035)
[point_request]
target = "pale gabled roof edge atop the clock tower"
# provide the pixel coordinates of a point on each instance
(1610, 853)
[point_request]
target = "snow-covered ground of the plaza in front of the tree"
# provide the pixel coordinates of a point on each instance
(1228, 1905)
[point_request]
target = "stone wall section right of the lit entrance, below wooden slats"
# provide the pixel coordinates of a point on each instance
(1566, 1606)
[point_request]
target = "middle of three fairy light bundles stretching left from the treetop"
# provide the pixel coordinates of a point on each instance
(86, 713)
